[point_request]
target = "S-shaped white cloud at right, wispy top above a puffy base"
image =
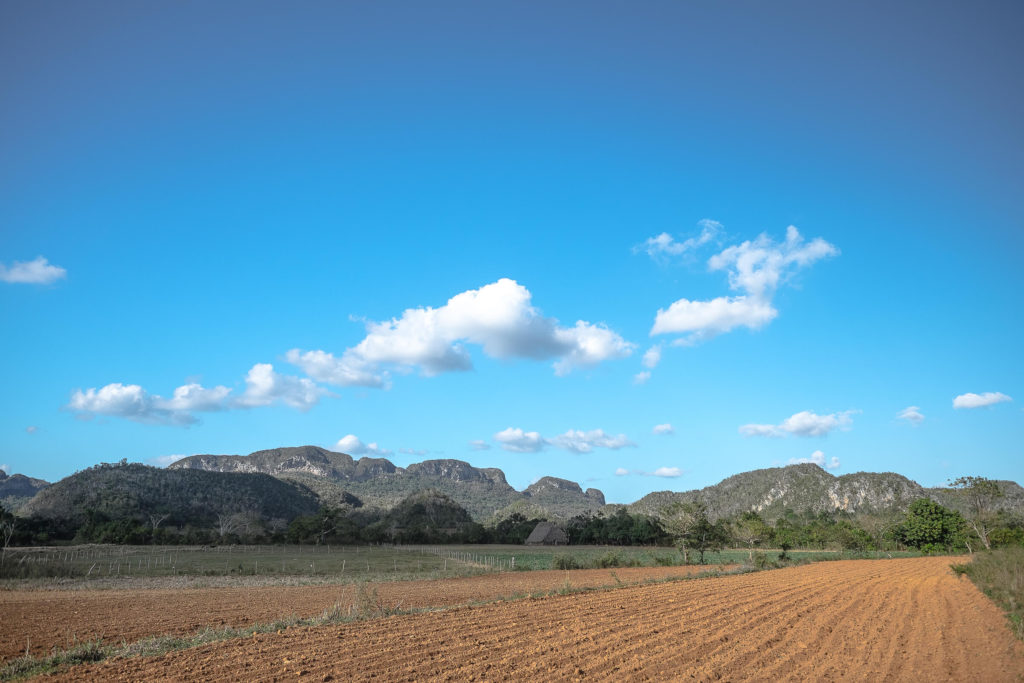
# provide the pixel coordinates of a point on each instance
(756, 270)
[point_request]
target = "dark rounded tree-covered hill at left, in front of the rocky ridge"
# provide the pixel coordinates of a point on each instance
(133, 492)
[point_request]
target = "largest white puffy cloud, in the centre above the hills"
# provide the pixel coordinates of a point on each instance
(499, 318)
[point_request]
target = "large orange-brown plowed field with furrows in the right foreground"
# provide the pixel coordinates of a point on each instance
(872, 621)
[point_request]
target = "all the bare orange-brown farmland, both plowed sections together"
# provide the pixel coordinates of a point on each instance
(883, 620)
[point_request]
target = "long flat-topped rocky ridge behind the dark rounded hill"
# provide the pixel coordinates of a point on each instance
(484, 492)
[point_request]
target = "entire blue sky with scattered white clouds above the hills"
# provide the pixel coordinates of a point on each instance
(525, 236)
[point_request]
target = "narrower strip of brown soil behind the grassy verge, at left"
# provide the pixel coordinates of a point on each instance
(46, 619)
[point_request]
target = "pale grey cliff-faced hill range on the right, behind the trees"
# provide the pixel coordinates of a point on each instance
(808, 488)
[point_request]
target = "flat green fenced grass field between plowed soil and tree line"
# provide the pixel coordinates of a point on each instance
(339, 564)
